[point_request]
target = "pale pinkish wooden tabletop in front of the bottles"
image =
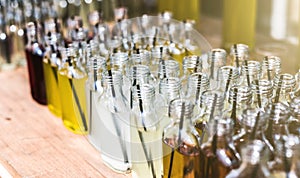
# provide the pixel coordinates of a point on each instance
(34, 143)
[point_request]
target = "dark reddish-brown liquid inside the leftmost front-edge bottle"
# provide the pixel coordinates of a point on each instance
(36, 76)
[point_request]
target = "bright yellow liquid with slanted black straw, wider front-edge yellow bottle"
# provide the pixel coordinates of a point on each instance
(74, 114)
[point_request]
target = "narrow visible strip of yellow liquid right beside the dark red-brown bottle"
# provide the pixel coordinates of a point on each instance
(52, 92)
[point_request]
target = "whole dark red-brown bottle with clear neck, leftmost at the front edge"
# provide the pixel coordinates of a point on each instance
(34, 55)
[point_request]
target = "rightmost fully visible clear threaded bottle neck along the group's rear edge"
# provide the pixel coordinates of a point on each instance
(270, 67)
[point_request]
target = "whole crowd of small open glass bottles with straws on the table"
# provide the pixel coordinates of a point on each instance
(155, 112)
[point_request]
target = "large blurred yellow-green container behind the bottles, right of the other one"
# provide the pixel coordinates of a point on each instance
(239, 22)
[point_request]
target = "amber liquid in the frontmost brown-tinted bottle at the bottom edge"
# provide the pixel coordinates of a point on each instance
(184, 161)
